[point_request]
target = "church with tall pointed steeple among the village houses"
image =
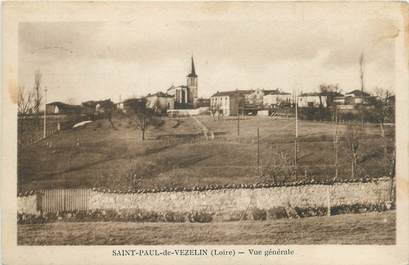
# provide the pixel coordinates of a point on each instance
(186, 95)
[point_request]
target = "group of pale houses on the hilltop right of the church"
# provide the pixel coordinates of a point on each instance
(260, 101)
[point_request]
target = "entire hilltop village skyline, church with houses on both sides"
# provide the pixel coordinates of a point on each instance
(181, 99)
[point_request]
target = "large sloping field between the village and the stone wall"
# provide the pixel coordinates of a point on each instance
(177, 154)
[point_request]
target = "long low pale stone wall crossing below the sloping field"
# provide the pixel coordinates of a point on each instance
(228, 200)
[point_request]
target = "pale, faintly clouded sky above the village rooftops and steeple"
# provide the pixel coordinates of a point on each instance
(96, 60)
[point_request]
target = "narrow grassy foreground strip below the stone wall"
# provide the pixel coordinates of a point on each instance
(369, 228)
